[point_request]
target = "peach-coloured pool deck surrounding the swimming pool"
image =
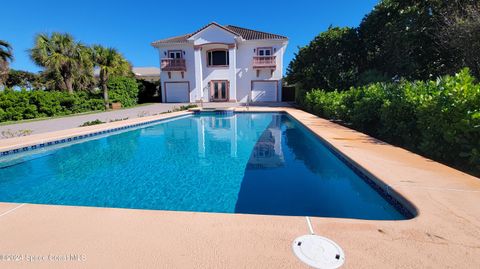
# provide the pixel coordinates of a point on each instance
(444, 234)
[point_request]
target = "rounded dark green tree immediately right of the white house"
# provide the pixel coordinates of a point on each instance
(331, 61)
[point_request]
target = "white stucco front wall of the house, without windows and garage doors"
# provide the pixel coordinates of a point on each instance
(240, 72)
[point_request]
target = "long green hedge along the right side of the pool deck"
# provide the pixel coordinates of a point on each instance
(439, 119)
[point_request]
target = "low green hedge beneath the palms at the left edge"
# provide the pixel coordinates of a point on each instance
(19, 105)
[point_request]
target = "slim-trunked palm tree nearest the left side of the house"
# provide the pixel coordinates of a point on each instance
(110, 63)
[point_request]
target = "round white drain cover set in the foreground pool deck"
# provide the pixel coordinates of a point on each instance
(318, 251)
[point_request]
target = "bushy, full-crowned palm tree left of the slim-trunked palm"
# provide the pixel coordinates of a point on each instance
(61, 55)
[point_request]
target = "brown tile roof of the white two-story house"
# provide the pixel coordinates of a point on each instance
(247, 34)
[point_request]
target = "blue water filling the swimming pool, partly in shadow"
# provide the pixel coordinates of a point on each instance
(257, 163)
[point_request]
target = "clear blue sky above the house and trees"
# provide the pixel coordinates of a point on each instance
(130, 26)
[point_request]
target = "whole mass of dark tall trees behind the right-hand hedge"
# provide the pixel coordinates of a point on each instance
(397, 39)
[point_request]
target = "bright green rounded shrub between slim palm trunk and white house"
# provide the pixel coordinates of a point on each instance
(123, 90)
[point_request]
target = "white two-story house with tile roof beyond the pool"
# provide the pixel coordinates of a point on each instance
(222, 64)
